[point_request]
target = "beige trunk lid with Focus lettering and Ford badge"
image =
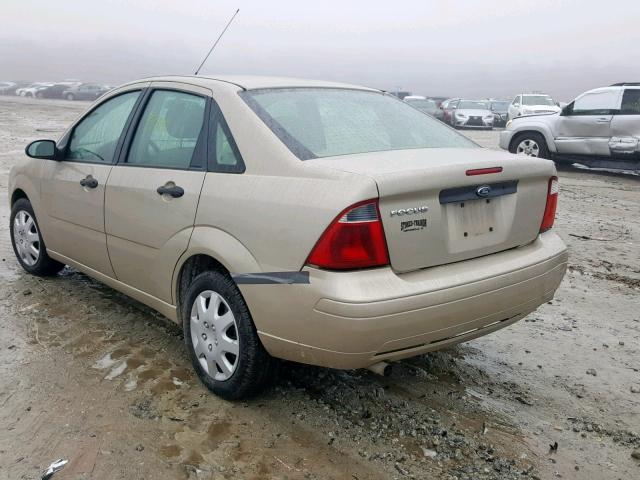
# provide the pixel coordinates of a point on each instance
(434, 213)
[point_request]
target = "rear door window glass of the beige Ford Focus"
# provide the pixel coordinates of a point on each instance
(168, 131)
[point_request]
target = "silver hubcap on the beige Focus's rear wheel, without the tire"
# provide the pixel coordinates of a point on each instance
(214, 335)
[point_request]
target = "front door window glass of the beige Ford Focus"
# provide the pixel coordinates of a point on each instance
(95, 138)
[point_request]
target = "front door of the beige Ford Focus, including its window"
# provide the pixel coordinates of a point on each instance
(73, 189)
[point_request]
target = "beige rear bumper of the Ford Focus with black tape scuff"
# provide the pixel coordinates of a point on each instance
(356, 319)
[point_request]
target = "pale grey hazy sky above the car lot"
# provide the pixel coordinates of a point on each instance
(432, 47)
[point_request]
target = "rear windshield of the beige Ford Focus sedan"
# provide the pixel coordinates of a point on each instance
(325, 122)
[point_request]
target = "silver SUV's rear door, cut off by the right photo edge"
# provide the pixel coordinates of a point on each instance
(625, 125)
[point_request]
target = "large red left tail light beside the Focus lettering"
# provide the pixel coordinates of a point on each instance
(355, 239)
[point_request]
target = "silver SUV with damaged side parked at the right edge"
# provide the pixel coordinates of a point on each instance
(600, 128)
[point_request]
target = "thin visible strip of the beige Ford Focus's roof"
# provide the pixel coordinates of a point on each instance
(251, 82)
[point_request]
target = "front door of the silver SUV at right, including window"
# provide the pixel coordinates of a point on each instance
(584, 127)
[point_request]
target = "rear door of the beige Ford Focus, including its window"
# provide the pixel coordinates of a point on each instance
(152, 193)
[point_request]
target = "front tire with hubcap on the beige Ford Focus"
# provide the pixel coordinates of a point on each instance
(27, 241)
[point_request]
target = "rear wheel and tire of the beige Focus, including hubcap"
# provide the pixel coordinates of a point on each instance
(227, 374)
